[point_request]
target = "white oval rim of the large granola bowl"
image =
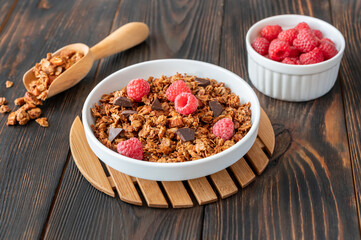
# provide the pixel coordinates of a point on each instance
(88, 104)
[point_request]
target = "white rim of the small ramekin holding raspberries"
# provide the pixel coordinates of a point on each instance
(296, 69)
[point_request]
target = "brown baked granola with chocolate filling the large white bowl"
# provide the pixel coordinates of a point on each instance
(158, 126)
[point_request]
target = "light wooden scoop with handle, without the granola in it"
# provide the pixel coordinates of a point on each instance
(123, 38)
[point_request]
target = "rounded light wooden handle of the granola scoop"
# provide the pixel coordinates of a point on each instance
(123, 38)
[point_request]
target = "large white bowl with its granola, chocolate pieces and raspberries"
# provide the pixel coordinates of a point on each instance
(171, 119)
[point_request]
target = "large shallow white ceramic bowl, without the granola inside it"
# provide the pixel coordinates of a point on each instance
(171, 171)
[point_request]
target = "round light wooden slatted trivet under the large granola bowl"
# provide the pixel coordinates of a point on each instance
(256, 160)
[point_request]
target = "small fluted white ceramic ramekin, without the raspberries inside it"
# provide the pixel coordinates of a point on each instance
(293, 82)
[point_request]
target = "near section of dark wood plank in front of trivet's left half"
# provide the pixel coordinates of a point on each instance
(82, 212)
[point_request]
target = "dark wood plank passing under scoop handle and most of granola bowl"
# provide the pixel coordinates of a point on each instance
(177, 29)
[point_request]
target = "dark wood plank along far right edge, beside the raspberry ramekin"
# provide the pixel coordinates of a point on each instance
(346, 17)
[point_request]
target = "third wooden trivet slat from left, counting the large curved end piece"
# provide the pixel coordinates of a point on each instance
(152, 193)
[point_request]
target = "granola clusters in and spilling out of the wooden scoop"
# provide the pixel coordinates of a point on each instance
(45, 73)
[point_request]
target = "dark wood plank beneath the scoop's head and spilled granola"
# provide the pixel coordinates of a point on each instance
(32, 158)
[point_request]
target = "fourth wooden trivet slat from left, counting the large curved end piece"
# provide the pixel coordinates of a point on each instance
(177, 194)
